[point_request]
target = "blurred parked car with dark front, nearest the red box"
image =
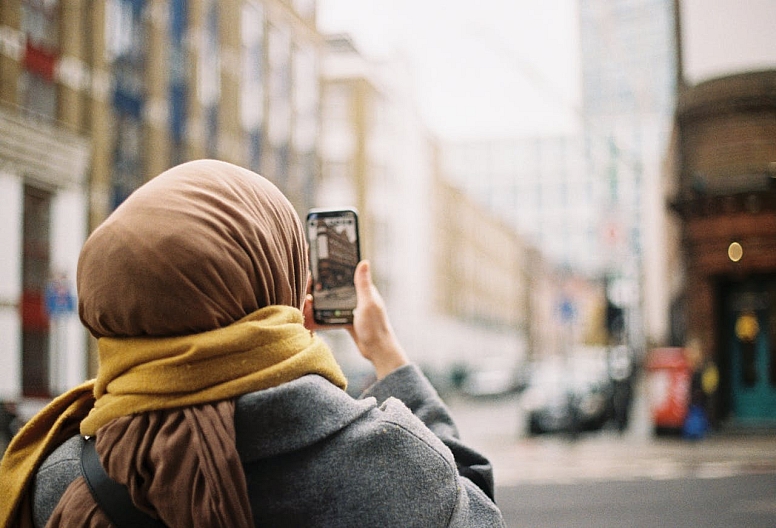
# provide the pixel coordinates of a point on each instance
(571, 395)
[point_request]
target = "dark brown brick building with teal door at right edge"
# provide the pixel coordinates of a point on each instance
(726, 198)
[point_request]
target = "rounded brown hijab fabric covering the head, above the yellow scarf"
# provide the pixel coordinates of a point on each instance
(197, 248)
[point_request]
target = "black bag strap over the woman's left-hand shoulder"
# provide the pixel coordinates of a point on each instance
(111, 496)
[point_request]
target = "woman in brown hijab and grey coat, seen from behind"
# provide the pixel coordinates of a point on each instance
(214, 404)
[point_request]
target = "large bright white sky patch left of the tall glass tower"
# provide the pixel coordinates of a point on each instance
(499, 68)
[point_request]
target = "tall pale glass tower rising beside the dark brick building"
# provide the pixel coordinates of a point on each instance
(628, 62)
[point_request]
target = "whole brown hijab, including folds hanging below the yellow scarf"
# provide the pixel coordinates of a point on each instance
(196, 249)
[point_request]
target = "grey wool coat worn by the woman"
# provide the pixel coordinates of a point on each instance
(316, 457)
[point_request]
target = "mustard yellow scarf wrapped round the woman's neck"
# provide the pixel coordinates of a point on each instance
(263, 350)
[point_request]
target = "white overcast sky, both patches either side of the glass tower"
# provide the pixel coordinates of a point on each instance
(511, 67)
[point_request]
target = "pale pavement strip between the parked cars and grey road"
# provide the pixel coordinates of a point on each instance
(495, 428)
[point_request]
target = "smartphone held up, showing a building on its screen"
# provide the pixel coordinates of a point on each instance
(334, 252)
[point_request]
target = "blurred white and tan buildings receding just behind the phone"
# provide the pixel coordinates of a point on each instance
(449, 270)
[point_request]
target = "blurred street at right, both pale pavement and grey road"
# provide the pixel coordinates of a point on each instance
(630, 480)
